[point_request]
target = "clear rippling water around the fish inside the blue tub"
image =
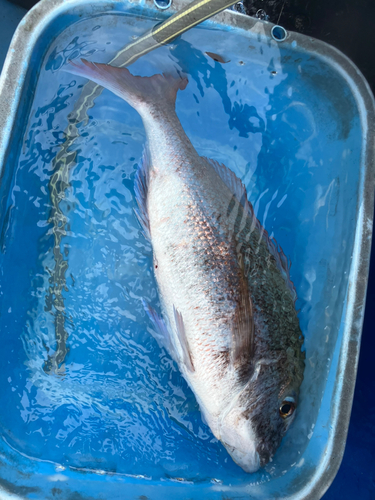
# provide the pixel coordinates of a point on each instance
(84, 382)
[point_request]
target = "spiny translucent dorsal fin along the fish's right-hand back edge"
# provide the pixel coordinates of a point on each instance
(239, 191)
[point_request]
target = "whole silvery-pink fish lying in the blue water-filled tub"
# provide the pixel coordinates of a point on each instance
(228, 303)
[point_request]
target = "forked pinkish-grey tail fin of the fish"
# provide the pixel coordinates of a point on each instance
(135, 90)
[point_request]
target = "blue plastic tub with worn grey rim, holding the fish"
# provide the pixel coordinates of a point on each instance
(91, 406)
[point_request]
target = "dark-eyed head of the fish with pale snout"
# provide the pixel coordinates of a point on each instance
(254, 423)
